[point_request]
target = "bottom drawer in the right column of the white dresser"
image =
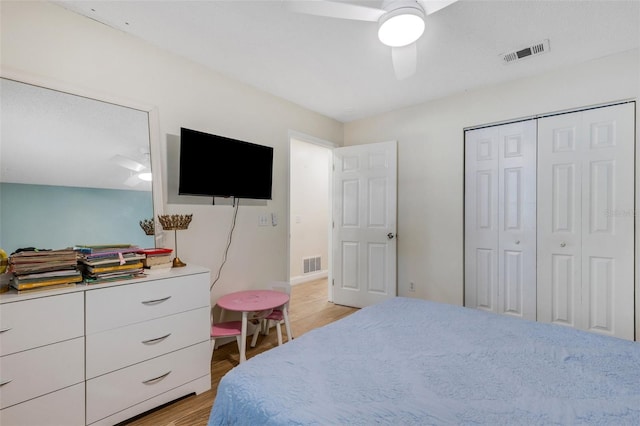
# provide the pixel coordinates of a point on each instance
(124, 388)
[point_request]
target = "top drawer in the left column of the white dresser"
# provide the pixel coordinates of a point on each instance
(37, 322)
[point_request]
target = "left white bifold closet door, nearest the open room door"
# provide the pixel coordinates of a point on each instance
(500, 219)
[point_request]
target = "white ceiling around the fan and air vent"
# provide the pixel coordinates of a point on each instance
(339, 68)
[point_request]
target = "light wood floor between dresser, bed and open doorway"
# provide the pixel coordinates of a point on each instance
(309, 309)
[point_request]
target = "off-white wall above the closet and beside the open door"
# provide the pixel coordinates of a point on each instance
(430, 159)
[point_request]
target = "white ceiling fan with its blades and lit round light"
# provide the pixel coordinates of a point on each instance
(400, 23)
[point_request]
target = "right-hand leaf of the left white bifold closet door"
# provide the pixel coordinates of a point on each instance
(517, 220)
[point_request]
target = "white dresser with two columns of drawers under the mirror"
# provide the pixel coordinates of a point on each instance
(100, 354)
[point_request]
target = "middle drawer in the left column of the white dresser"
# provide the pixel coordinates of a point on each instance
(33, 373)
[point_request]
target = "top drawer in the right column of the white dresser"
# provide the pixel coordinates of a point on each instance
(132, 303)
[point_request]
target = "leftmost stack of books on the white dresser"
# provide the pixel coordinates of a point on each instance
(44, 269)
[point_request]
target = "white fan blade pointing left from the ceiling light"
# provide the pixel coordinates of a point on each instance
(333, 9)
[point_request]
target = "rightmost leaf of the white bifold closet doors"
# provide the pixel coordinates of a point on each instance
(608, 220)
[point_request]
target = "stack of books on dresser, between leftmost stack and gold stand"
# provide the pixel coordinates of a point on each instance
(106, 263)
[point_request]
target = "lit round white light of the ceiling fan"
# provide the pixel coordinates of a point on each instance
(401, 27)
